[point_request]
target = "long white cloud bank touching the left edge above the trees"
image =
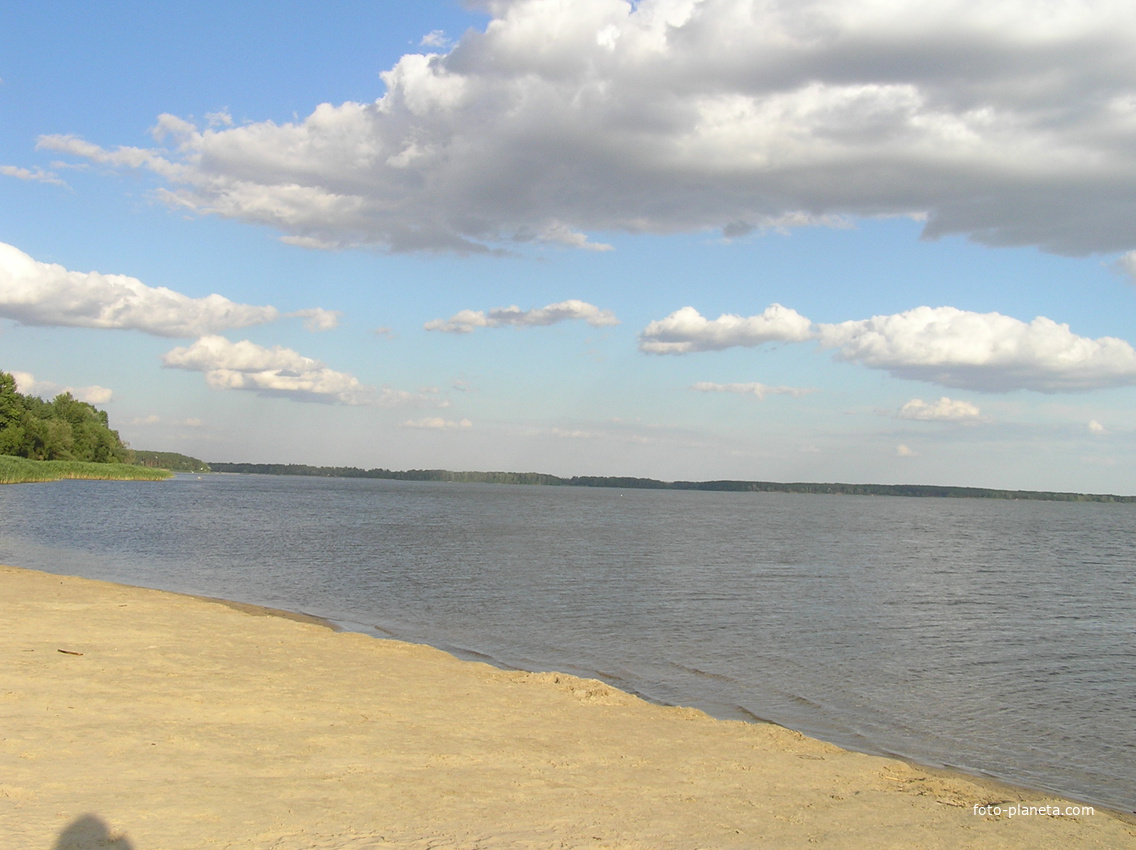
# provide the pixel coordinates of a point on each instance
(45, 294)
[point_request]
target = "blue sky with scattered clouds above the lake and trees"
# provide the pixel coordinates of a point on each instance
(871, 241)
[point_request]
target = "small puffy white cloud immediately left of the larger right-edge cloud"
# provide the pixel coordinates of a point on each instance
(686, 331)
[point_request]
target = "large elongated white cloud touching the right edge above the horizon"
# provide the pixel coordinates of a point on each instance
(984, 352)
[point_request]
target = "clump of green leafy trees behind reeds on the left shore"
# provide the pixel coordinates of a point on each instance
(63, 429)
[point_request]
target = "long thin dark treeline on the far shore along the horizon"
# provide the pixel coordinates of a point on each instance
(632, 484)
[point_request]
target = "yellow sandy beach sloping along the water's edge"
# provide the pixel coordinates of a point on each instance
(139, 720)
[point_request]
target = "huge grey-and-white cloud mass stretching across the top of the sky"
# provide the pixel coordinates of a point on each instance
(1009, 122)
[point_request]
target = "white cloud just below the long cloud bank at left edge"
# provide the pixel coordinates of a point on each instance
(269, 372)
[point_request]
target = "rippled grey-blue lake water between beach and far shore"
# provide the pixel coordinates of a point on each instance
(993, 637)
